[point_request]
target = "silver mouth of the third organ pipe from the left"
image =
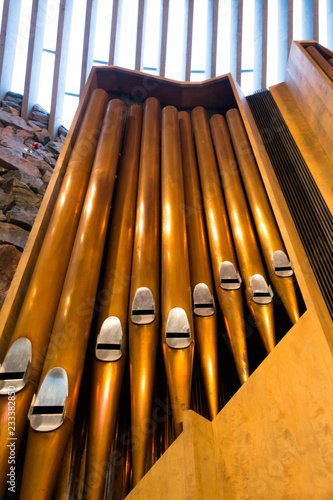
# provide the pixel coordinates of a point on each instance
(110, 340)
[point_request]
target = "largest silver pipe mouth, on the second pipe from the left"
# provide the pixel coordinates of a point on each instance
(47, 410)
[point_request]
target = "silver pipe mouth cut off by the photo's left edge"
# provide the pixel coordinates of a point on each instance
(14, 371)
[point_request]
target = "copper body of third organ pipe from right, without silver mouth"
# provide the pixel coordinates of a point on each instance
(220, 242)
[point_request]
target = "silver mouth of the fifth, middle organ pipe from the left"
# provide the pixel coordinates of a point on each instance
(177, 330)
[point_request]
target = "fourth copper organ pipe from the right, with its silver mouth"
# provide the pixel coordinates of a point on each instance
(205, 324)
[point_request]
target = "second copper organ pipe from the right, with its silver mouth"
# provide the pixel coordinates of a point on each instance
(258, 292)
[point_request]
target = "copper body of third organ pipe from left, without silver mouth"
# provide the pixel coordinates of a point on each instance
(107, 376)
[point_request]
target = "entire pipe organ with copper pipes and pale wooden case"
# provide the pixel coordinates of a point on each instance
(264, 429)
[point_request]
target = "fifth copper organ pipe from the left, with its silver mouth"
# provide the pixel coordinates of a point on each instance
(177, 322)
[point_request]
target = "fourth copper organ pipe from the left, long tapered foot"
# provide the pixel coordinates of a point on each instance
(143, 330)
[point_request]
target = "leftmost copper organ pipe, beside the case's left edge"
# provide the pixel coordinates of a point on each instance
(38, 311)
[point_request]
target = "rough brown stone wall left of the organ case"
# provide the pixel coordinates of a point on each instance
(27, 159)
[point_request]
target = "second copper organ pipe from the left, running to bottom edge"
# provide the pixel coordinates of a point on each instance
(67, 347)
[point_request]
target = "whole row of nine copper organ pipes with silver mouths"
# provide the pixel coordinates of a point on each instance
(181, 235)
